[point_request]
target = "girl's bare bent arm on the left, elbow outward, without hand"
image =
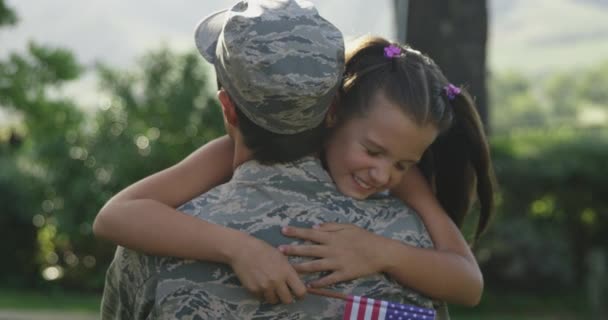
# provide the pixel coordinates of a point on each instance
(143, 216)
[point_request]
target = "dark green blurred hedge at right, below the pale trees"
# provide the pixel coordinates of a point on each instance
(553, 207)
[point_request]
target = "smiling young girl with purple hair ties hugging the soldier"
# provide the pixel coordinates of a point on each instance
(364, 157)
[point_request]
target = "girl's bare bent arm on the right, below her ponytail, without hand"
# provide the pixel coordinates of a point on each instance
(450, 272)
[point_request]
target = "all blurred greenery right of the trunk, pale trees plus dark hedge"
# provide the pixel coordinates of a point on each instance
(550, 150)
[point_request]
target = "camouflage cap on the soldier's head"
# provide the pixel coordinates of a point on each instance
(279, 61)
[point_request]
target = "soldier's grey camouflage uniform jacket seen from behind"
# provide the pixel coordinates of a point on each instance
(259, 200)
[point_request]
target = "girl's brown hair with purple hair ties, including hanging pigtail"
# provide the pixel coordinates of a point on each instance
(457, 164)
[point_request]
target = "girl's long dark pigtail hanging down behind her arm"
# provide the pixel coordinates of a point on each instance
(459, 165)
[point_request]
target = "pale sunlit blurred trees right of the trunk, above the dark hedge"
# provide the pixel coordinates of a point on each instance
(570, 99)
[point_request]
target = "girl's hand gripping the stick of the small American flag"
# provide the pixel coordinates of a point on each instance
(266, 273)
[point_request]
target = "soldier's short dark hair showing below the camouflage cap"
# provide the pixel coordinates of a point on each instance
(268, 147)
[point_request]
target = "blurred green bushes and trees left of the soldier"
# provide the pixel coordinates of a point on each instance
(68, 162)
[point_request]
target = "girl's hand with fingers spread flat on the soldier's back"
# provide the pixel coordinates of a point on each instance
(346, 251)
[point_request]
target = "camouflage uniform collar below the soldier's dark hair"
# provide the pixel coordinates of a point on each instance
(305, 169)
